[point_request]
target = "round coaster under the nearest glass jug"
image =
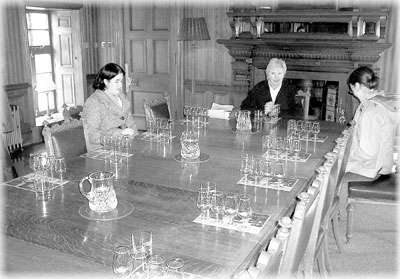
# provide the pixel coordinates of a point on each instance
(122, 210)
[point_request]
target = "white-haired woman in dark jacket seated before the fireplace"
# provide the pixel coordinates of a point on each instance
(274, 90)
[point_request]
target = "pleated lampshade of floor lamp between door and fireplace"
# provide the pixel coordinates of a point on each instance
(193, 29)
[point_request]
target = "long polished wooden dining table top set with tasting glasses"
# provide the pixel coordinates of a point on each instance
(162, 192)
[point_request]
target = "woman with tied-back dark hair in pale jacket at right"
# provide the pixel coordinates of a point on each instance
(375, 122)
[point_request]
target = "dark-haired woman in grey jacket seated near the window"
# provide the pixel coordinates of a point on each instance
(108, 110)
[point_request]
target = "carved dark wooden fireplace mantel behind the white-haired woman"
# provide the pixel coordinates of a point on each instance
(259, 35)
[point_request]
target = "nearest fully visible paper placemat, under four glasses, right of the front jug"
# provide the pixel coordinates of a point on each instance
(254, 226)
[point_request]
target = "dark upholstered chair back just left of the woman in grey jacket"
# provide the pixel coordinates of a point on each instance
(69, 143)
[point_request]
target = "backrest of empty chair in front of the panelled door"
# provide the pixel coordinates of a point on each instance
(157, 108)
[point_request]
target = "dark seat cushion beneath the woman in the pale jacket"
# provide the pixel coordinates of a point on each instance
(383, 188)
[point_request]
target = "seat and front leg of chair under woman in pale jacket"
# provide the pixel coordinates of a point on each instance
(383, 190)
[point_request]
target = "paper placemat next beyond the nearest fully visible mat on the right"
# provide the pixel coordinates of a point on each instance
(270, 182)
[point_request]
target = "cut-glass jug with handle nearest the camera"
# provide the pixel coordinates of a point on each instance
(102, 197)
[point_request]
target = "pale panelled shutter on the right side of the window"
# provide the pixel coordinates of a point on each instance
(67, 57)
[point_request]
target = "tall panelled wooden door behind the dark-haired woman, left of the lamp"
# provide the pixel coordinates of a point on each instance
(149, 54)
